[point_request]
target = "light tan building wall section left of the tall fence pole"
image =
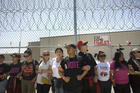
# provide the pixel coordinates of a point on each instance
(53, 42)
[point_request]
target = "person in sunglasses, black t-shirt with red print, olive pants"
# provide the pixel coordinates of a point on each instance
(29, 72)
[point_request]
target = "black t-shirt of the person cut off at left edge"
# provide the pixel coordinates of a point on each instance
(4, 68)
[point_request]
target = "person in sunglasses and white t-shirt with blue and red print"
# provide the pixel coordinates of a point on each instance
(103, 72)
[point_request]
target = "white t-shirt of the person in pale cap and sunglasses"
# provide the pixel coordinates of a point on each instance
(43, 66)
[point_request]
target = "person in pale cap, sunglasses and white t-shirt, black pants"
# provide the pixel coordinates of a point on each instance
(44, 73)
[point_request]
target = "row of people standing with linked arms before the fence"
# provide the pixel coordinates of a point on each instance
(76, 73)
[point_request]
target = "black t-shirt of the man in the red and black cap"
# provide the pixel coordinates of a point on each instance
(87, 59)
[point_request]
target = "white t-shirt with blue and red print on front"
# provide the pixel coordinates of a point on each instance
(103, 69)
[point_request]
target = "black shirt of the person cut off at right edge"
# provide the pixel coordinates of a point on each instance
(134, 78)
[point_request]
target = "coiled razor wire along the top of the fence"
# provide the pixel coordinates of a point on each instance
(42, 15)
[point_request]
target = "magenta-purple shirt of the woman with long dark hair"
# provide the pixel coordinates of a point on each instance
(120, 75)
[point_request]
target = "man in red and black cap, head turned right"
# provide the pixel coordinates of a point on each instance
(87, 61)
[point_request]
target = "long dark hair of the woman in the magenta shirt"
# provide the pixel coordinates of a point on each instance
(117, 55)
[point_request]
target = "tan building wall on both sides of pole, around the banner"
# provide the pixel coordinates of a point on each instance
(116, 38)
